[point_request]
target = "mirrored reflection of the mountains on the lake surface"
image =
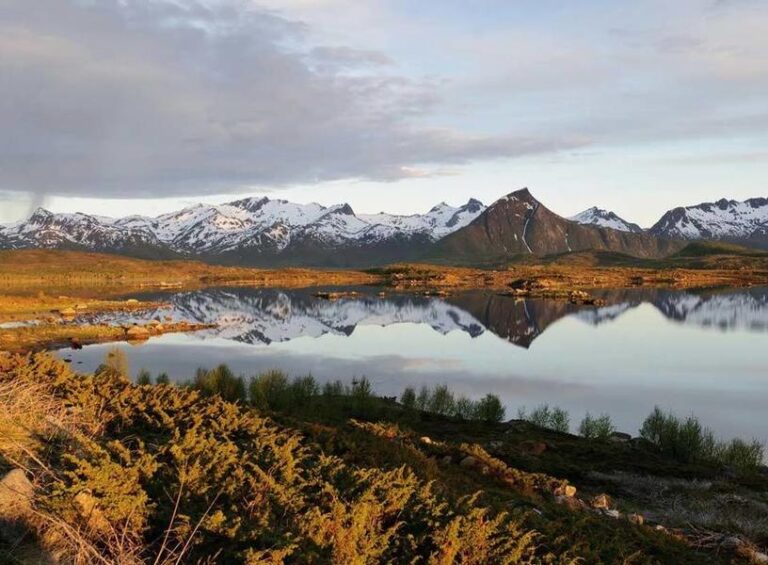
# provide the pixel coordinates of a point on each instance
(272, 315)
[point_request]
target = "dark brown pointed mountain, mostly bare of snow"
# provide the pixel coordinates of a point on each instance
(518, 224)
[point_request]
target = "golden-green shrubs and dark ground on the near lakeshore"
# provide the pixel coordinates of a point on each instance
(271, 469)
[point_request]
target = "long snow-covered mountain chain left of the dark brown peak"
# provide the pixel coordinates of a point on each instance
(243, 230)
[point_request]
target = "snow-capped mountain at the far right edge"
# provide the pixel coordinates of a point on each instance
(727, 220)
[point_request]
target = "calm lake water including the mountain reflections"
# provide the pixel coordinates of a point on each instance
(702, 352)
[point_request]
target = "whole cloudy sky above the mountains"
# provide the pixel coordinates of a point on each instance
(120, 107)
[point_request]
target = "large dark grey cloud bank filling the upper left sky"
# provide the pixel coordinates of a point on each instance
(162, 98)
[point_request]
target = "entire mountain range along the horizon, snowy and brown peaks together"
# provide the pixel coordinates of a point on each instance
(266, 232)
